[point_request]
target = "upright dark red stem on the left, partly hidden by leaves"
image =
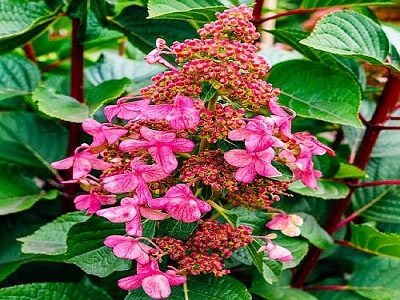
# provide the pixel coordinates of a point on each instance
(77, 92)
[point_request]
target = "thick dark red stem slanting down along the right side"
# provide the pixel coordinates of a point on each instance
(389, 98)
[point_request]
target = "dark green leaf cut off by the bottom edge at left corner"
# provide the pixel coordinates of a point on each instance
(53, 290)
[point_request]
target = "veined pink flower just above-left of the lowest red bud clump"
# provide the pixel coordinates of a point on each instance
(180, 203)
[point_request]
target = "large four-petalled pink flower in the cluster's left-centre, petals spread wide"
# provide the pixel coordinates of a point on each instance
(161, 146)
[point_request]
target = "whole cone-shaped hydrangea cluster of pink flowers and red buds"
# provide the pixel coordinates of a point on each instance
(208, 132)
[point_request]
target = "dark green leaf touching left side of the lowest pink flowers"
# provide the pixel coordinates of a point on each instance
(86, 247)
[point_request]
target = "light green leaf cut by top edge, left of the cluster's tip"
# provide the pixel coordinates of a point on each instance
(201, 11)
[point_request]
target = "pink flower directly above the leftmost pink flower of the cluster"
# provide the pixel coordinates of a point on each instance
(102, 133)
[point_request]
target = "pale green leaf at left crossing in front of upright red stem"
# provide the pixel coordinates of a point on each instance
(60, 106)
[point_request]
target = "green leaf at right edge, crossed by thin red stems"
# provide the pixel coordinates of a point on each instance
(387, 209)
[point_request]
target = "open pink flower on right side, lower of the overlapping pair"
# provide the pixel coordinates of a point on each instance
(252, 163)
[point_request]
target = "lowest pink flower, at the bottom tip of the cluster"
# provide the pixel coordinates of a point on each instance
(155, 283)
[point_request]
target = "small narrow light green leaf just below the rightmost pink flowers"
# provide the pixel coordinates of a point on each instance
(326, 189)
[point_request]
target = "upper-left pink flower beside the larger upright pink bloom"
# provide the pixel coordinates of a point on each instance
(131, 111)
